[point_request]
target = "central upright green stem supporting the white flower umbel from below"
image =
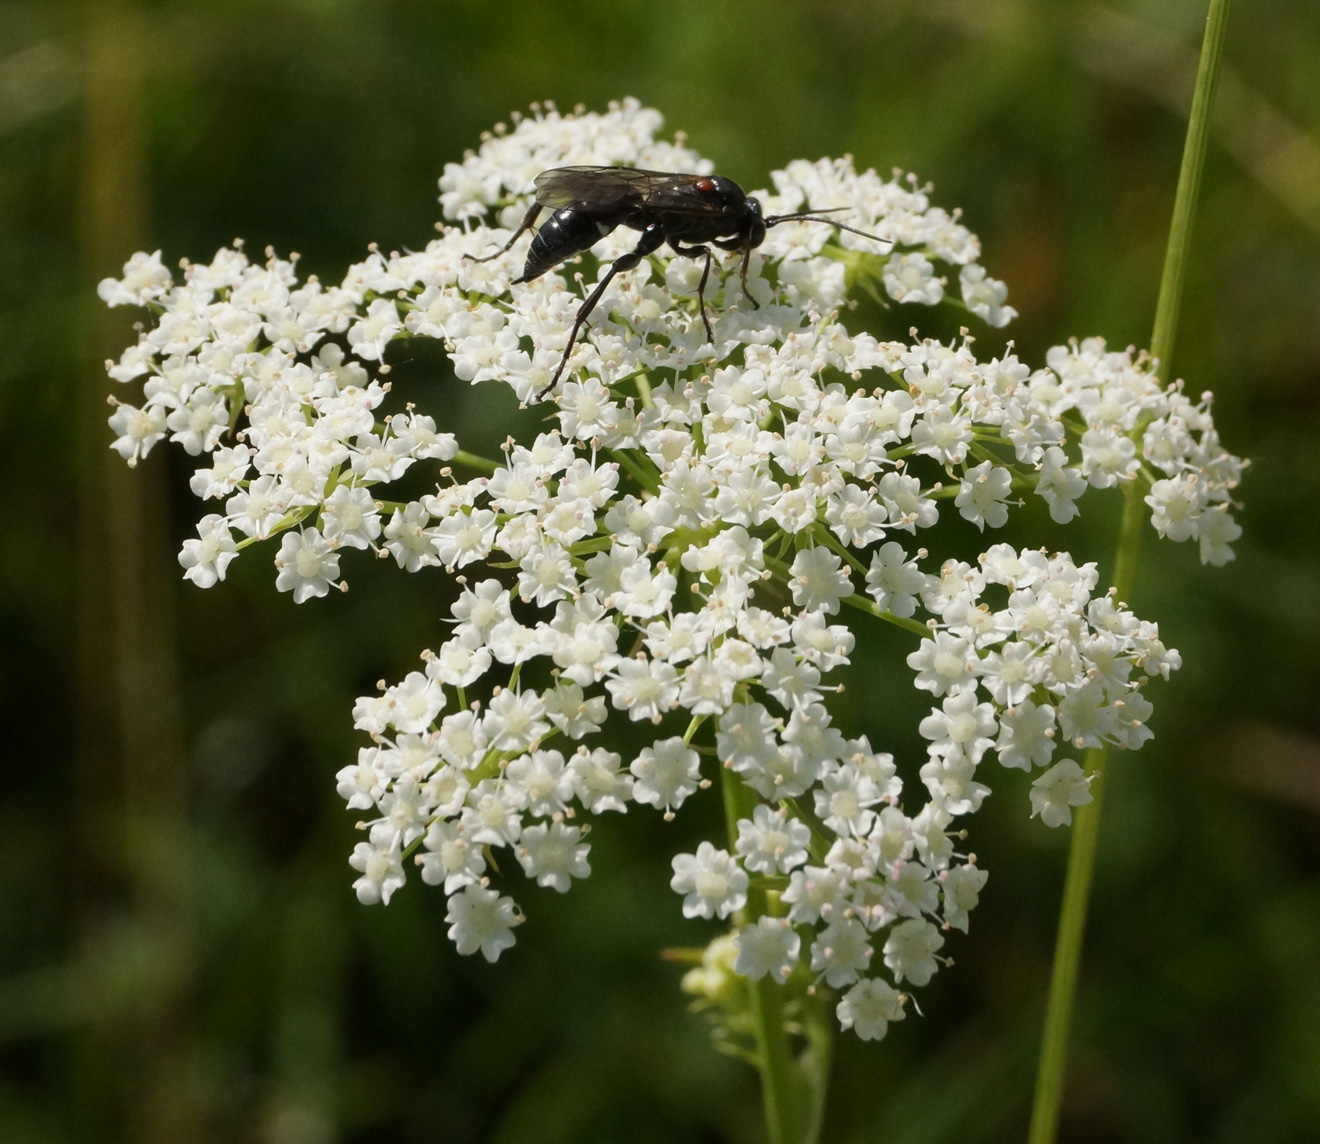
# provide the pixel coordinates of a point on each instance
(774, 1058)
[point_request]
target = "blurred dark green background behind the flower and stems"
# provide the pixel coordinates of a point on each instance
(181, 957)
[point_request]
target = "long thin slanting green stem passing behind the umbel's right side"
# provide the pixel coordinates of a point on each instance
(1082, 856)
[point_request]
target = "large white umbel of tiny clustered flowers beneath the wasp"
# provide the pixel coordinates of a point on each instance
(690, 544)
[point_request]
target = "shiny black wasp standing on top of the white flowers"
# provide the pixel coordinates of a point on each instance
(684, 210)
